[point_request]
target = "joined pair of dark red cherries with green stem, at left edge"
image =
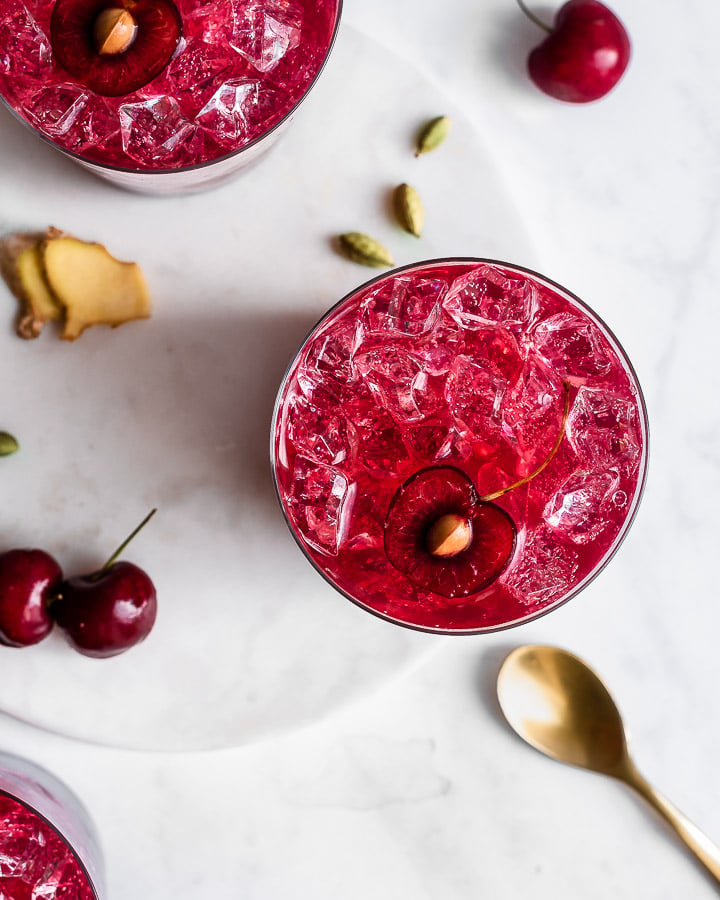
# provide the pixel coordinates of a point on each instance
(102, 614)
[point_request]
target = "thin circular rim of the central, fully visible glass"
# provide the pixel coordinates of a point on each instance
(642, 475)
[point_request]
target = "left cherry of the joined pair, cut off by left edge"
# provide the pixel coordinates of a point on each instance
(28, 580)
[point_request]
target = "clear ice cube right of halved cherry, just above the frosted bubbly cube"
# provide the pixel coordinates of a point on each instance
(578, 509)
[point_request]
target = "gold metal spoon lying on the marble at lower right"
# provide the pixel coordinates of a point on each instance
(556, 703)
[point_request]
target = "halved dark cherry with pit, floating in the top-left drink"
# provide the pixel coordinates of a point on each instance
(114, 48)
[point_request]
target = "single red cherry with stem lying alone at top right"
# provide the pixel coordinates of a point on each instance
(585, 54)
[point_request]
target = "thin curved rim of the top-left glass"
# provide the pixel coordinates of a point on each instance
(194, 167)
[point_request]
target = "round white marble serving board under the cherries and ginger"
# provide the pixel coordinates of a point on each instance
(174, 412)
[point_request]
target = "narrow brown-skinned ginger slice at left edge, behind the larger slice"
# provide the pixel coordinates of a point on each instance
(21, 267)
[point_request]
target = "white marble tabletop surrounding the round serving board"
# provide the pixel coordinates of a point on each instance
(420, 791)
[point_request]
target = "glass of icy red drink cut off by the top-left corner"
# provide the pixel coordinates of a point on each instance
(232, 87)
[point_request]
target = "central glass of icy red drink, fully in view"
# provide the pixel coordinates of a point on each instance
(468, 388)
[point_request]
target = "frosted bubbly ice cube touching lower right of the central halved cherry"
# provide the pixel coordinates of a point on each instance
(545, 570)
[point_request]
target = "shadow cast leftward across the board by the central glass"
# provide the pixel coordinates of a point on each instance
(174, 412)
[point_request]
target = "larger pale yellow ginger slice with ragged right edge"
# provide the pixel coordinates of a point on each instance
(92, 287)
